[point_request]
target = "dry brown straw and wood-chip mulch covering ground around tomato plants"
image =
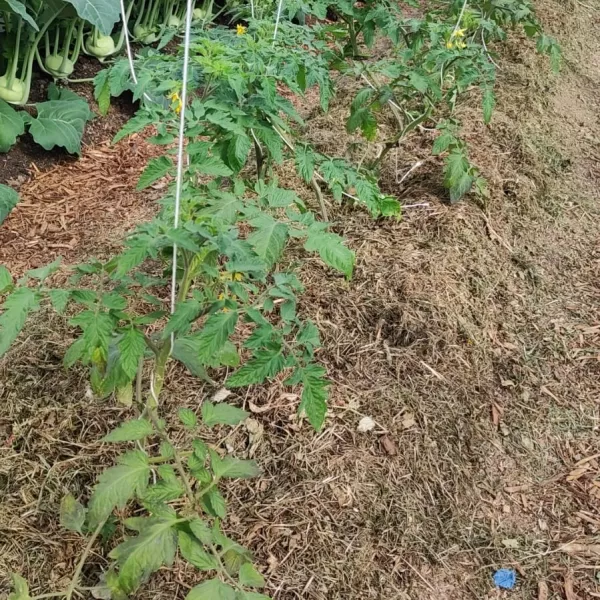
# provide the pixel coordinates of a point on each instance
(470, 334)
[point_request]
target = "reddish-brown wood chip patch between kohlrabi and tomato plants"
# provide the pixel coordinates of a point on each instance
(72, 208)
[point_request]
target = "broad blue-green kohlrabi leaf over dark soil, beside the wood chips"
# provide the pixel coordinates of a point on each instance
(60, 123)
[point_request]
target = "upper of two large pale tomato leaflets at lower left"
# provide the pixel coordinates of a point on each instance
(118, 484)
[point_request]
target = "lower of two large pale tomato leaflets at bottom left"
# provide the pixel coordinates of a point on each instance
(141, 555)
